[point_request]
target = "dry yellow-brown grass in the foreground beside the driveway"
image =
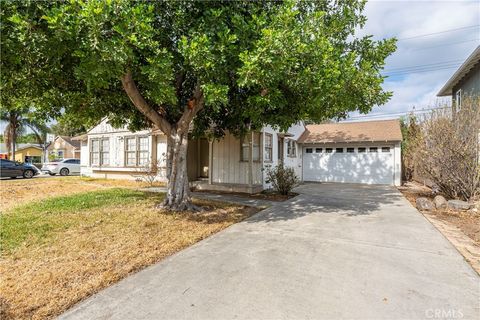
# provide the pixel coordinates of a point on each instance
(95, 247)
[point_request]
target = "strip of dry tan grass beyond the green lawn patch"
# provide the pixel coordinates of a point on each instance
(15, 192)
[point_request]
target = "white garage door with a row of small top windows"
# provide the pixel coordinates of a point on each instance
(370, 165)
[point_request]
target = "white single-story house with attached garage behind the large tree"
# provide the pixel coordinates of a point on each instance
(356, 152)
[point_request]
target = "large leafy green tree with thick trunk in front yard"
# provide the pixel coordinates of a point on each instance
(191, 67)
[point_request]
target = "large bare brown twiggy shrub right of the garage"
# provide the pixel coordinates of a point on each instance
(447, 149)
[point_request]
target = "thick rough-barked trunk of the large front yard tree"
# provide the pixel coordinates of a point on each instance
(178, 192)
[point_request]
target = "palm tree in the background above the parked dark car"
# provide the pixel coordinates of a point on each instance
(17, 123)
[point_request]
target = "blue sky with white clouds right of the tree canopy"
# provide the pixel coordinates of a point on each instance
(434, 38)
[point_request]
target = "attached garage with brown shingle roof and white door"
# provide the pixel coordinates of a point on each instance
(358, 152)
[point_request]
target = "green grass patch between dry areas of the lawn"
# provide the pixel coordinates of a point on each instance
(36, 222)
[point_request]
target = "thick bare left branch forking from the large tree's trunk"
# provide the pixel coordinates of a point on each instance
(139, 102)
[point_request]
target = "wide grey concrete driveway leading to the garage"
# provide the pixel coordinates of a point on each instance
(334, 252)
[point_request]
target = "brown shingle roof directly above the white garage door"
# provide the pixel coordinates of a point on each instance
(365, 131)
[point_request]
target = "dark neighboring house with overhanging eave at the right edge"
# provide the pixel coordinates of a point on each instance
(465, 81)
